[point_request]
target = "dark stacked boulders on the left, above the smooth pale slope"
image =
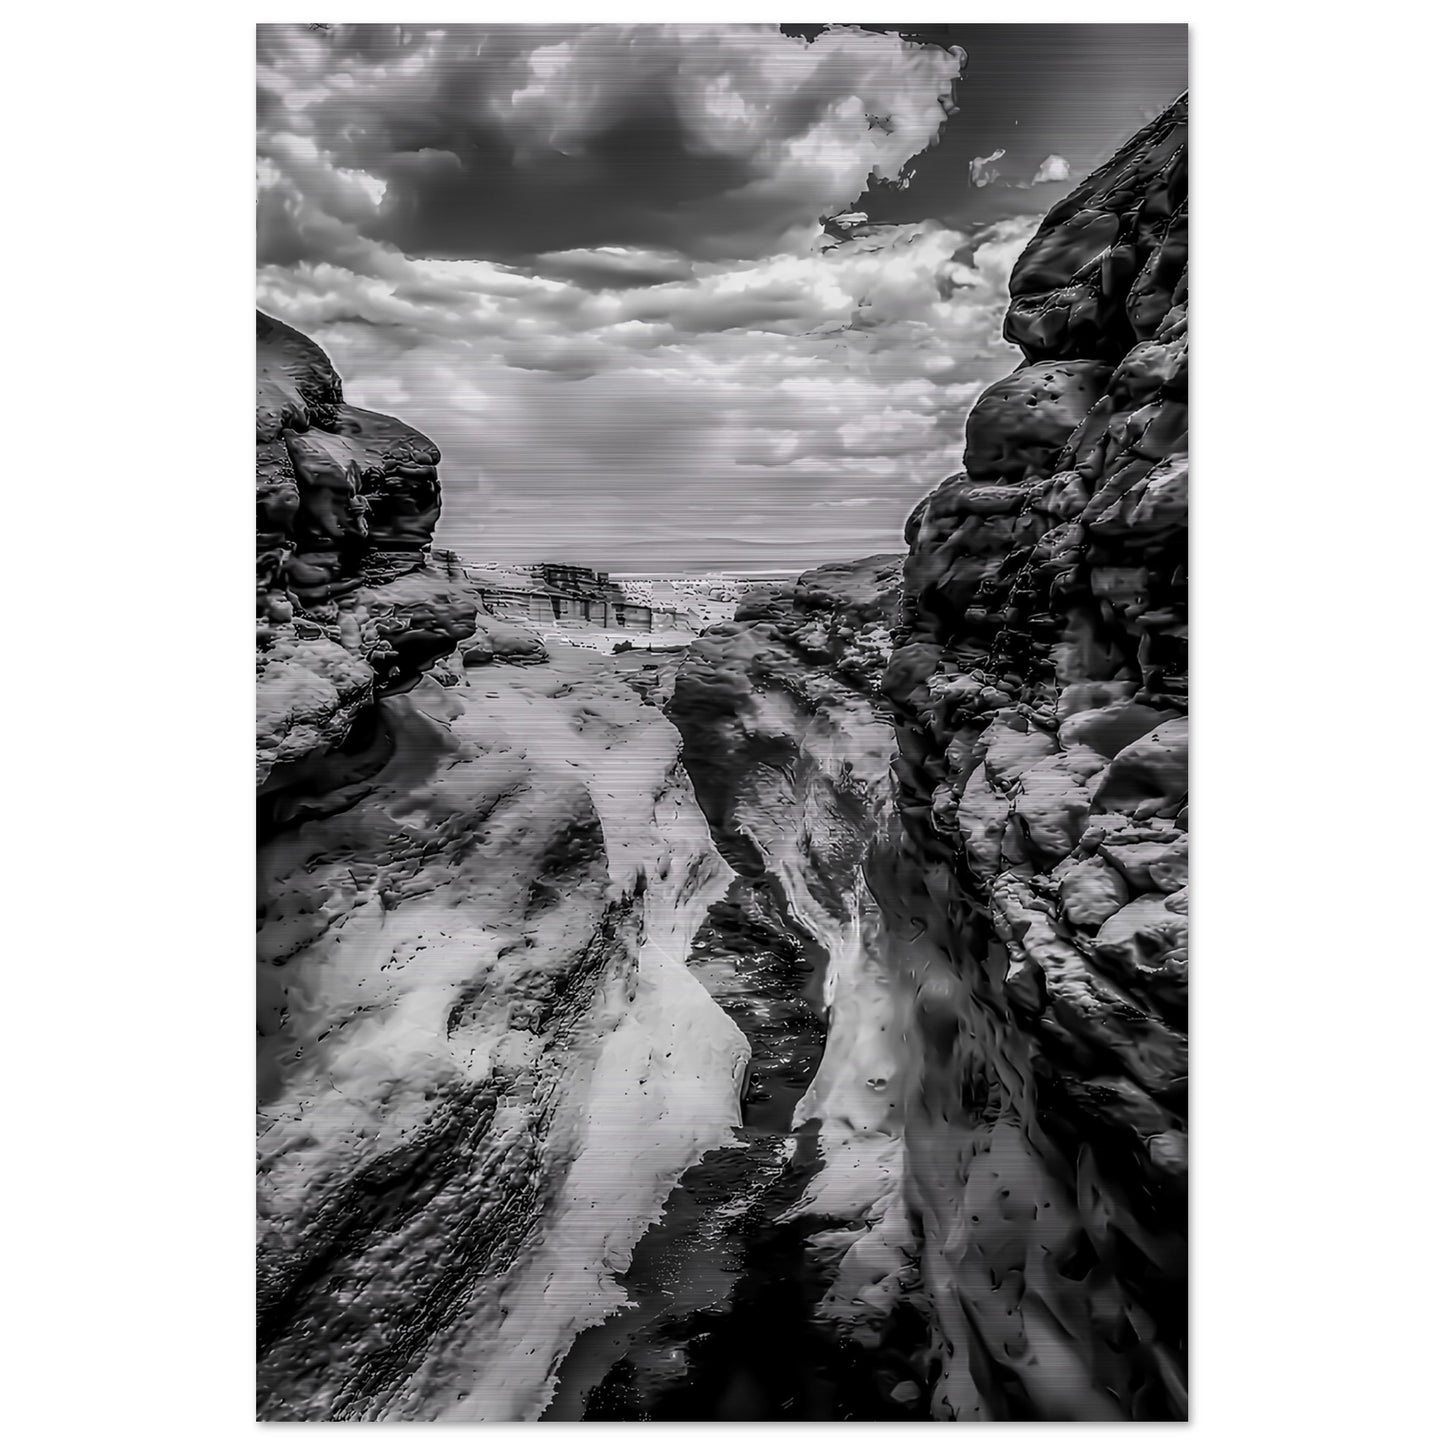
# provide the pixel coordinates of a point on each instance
(346, 504)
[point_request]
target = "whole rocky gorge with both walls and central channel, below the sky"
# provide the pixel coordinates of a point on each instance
(788, 1027)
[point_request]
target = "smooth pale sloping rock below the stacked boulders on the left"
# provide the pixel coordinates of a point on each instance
(483, 1061)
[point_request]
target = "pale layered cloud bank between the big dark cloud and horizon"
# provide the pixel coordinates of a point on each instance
(625, 426)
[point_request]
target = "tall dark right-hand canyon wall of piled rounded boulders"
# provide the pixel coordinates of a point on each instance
(1038, 887)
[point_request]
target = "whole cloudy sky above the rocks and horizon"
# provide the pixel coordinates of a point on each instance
(605, 268)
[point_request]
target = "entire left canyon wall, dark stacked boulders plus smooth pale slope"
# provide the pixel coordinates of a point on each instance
(482, 1058)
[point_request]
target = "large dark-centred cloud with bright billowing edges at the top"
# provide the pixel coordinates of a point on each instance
(511, 142)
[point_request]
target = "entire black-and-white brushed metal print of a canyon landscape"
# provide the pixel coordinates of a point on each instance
(722, 723)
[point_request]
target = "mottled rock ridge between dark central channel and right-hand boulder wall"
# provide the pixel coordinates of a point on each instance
(788, 746)
